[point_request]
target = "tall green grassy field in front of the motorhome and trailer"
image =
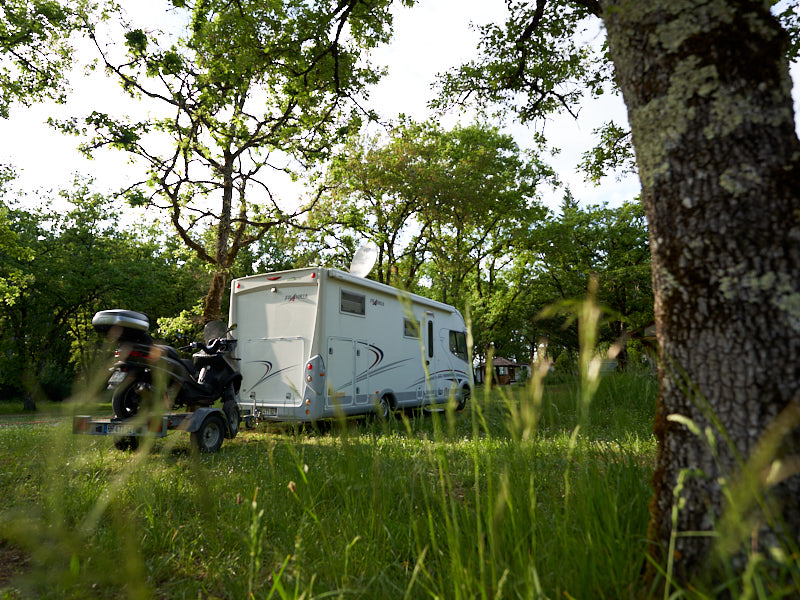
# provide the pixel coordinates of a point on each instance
(506, 499)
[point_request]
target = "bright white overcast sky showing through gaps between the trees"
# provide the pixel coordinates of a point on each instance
(429, 38)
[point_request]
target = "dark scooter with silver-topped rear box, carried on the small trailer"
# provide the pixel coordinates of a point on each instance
(147, 374)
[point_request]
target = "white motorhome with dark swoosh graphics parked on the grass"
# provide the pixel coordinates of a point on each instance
(315, 343)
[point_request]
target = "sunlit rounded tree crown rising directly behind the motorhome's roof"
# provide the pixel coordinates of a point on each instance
(436, 203)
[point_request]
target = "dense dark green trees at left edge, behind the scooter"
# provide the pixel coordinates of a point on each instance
(75, 262)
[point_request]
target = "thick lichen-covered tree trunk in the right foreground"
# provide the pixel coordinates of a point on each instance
(709, 98)
